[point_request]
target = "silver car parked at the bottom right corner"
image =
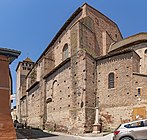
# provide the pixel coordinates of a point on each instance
(136, 130)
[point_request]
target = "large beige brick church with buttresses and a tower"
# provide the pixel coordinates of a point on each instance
(87, 64)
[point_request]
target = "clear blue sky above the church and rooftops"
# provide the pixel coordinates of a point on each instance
(30, 25)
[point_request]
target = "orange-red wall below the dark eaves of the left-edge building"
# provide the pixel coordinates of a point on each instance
(7, 130)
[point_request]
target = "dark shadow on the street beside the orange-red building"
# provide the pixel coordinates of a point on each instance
(32, 133)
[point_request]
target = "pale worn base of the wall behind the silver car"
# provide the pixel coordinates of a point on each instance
(112, 117)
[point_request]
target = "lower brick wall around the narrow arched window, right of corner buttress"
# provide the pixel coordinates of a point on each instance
(113, 102)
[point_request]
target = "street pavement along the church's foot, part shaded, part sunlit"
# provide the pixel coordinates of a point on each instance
(41, 135)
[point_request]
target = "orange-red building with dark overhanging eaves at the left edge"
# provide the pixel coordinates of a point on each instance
(7, 131)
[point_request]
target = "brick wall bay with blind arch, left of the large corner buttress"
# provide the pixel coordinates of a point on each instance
(58, 89)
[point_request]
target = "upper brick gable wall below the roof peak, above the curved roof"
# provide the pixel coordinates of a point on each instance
(102, 24)
